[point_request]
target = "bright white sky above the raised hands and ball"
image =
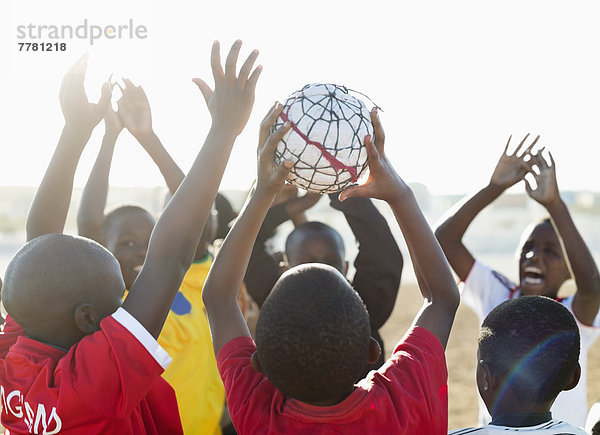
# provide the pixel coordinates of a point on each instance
(454, 79)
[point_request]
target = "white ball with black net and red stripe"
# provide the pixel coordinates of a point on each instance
(326, 141)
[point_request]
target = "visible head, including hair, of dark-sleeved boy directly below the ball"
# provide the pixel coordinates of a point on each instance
(316, 242)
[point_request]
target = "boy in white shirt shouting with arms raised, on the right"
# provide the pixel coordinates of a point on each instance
(550, 251)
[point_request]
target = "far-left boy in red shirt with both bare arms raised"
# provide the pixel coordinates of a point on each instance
(72, 358)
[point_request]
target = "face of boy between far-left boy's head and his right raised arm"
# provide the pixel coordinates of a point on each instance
(127, 238)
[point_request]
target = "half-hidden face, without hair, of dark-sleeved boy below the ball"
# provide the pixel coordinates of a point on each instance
(321, 248)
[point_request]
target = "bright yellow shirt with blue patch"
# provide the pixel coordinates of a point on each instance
(193, 373)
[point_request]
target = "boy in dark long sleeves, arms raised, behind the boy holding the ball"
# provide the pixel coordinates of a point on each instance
(378, 263)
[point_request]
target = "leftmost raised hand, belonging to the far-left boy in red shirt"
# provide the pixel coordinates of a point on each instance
(79, 113)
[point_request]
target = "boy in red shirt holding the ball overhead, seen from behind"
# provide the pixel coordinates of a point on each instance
(313, 334)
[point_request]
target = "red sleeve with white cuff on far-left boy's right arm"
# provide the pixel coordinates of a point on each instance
(114, 368)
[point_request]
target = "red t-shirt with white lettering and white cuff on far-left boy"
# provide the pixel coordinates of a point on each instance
(109, 382)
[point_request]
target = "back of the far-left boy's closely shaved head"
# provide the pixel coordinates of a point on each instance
(51, 275)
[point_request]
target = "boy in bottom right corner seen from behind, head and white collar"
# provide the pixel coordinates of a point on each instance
(528, 352)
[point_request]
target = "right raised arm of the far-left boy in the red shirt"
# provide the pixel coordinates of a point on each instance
(177, 232)
